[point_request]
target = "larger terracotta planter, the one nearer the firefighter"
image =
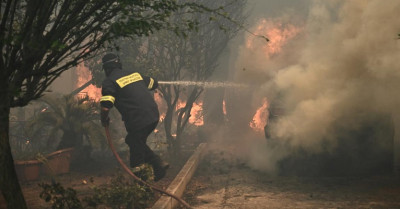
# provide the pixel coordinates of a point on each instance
(58, 162)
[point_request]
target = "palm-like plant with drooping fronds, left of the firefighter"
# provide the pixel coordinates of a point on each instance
(76, 118)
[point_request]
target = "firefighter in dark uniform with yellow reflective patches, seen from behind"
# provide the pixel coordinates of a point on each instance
(130, 93)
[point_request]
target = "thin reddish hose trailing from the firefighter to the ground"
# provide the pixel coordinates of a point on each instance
(126, 168)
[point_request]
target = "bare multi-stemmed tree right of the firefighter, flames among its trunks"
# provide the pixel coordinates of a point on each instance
(194, 58)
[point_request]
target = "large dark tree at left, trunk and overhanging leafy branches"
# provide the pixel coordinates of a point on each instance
(40, 39)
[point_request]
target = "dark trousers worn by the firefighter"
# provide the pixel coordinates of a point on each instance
(140, 153)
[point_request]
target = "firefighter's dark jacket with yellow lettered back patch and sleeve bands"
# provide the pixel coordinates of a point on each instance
(130, 93)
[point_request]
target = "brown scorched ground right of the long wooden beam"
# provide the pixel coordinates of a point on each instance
(223, 182)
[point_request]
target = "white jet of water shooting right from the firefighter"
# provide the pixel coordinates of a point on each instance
(203, 84)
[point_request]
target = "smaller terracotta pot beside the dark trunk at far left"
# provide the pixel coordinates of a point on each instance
(28, 170)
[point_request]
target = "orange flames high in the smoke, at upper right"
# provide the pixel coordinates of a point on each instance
(278, 34)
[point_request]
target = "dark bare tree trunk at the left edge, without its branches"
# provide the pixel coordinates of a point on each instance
(9, 184)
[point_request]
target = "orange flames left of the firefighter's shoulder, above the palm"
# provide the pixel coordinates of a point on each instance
(84, 76)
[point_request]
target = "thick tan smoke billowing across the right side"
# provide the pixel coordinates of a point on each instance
(338, 65)
